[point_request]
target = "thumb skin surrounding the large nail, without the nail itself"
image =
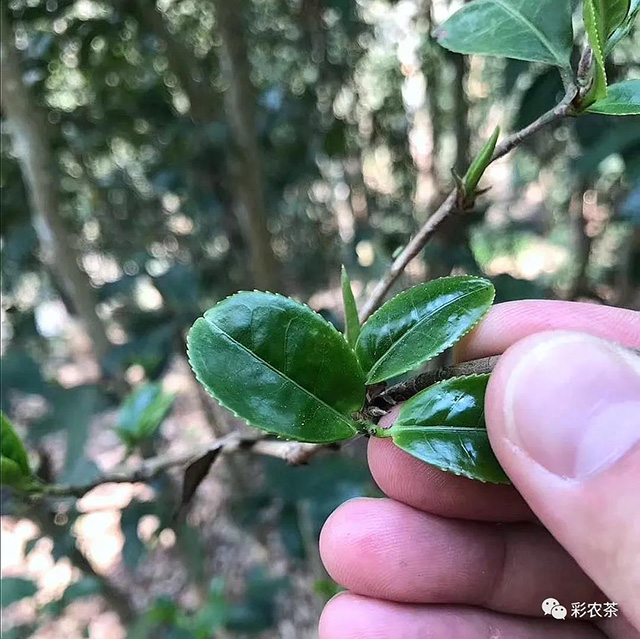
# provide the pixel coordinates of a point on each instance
(597, 518)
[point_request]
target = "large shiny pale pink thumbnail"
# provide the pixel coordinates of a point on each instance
(573, 404)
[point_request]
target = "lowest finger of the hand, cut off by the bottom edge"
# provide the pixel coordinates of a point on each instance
(350, 616)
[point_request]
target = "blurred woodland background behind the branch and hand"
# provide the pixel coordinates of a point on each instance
(168, 153)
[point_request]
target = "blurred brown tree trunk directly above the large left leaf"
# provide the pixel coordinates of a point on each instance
(248, 171)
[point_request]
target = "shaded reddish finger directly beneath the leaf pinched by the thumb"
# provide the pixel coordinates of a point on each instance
(408, 480)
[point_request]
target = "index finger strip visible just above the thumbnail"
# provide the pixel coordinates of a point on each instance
(508, 323)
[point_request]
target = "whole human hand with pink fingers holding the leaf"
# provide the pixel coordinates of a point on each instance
(448, 558)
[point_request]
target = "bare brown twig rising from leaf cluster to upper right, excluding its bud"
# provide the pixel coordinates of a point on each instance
(450, 206)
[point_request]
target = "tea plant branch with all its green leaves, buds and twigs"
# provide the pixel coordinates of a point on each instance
(281, 367)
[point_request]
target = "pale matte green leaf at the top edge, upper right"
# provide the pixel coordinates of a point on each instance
(537, 31)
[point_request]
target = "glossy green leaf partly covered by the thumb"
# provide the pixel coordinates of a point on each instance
(444, 426)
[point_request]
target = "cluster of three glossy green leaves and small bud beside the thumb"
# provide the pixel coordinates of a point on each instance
(281, 367)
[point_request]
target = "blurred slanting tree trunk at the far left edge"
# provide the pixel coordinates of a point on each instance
(39, 168)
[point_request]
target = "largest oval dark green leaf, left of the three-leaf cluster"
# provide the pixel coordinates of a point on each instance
(279, 366)
